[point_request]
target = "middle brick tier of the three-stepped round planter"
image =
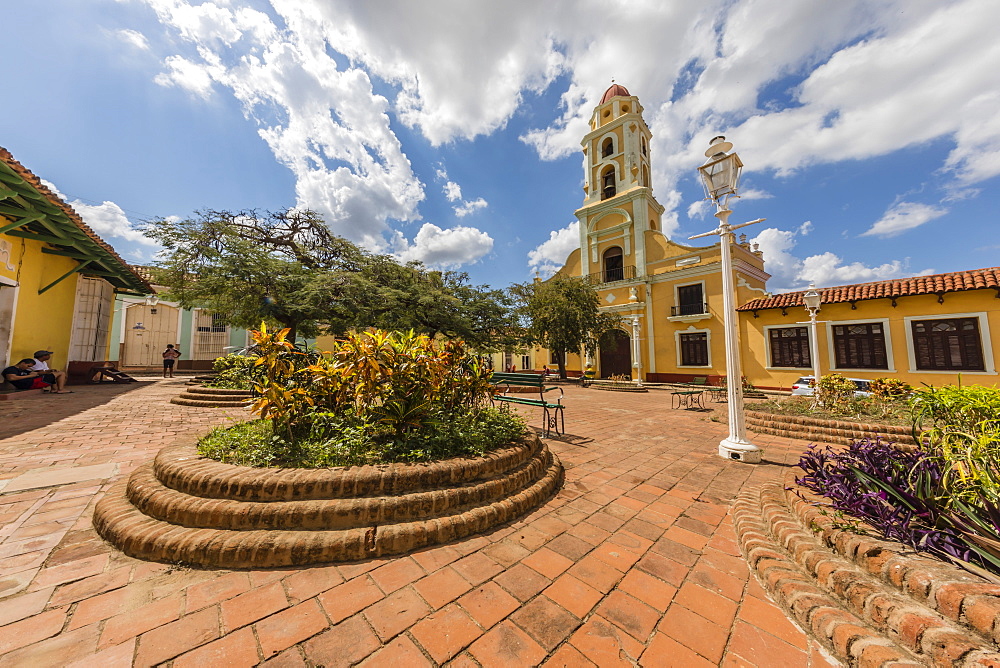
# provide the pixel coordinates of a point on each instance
(154, 499)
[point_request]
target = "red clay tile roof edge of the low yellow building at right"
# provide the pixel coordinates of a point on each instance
(956, 281)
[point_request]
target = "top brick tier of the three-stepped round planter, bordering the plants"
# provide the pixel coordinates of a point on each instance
(180, 467)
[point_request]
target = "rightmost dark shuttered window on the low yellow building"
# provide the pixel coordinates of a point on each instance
(948, 345)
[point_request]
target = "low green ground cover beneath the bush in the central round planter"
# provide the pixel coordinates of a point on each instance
(344, 440)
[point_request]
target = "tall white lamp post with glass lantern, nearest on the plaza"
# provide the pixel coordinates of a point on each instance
(721, 177)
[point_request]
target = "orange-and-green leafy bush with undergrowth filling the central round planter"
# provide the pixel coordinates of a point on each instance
(376, 397)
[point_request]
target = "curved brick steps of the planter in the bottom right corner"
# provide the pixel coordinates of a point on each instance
(860, 617)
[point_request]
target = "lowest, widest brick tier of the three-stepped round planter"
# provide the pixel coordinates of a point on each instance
(123, 525)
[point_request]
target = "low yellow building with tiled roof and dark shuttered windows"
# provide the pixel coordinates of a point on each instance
(926, 329)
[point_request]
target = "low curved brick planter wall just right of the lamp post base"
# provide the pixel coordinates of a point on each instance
(826, 431)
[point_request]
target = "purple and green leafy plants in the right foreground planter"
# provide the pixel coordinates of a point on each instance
(945, 498)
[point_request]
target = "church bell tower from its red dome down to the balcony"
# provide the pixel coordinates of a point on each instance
(618, 206)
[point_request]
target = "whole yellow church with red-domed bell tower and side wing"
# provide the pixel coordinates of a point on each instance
(668, 294)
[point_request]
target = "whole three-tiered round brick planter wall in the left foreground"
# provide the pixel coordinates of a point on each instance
(183, 507)
